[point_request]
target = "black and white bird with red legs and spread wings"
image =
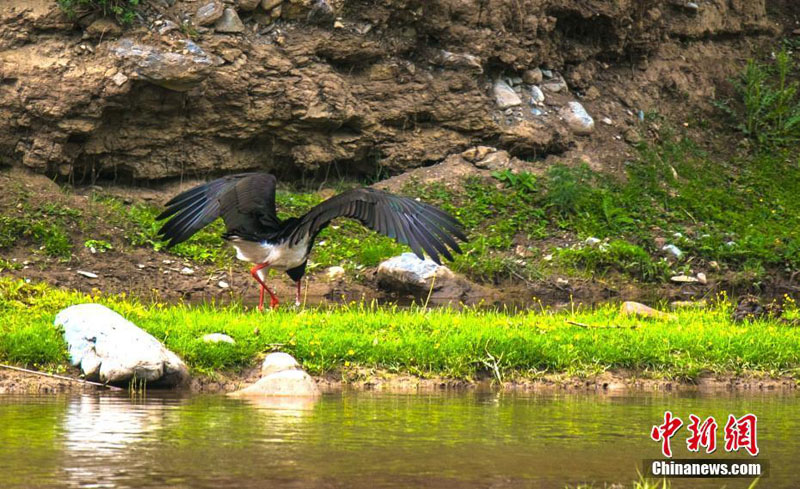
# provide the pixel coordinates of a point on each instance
(246, 204)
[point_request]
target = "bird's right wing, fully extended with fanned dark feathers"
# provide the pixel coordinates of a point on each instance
(421, 226)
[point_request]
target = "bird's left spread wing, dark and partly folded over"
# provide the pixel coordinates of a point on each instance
(246, 202)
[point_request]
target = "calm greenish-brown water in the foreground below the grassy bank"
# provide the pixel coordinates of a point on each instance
(368, 440)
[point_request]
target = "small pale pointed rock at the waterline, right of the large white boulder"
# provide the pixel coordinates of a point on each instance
(281, 376)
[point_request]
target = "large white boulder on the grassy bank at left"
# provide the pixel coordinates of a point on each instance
(110, 348)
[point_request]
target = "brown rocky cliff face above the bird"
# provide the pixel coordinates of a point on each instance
(207, 86)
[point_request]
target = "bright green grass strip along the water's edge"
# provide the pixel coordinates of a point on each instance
(423, 342)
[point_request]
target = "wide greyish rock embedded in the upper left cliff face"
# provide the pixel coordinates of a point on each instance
(175, 71)
